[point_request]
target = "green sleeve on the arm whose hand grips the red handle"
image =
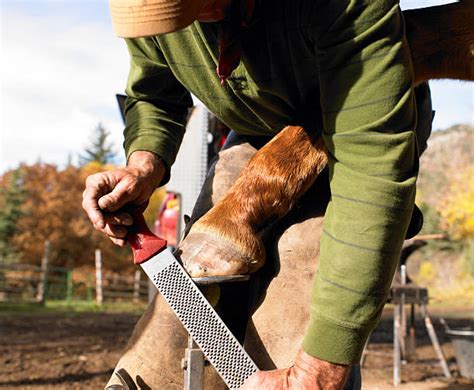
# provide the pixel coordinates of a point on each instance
(157, 104)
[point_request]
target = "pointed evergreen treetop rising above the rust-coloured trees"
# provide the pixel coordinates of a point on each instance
(101, 149)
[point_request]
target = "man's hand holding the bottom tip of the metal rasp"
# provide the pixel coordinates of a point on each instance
(307, 373)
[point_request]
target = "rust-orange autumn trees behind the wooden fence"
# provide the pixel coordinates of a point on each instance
(52, 211)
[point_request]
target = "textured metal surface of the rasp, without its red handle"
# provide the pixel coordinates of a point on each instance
(202, 322)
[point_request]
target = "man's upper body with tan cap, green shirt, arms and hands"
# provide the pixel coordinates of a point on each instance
(339, 68)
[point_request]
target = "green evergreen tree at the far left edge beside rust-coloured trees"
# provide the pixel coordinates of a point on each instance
(12, 197)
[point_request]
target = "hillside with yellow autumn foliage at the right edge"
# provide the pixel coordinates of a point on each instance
(445, 194)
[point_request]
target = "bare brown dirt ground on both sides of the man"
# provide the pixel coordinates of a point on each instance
(79, 351)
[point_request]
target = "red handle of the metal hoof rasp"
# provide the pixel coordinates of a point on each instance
(144, 243)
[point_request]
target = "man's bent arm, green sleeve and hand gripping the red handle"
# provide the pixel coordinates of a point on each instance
(156, 111)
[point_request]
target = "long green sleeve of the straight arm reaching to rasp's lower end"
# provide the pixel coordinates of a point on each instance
(369, 118)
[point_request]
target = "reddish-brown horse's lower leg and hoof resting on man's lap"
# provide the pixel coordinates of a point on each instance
(226, 240)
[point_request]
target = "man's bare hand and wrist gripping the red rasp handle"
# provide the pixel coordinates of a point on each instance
(108, 192)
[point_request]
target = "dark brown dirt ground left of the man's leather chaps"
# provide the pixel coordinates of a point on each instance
(61, 351)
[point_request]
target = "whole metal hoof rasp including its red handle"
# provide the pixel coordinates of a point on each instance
(197, 315)
